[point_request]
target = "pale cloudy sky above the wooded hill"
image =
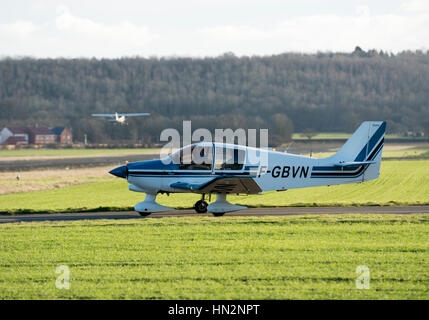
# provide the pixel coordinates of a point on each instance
(199, 28)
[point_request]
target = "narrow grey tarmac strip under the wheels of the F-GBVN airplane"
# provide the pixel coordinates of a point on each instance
(191, 213)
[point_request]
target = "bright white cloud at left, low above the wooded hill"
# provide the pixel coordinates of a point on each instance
(70, 36)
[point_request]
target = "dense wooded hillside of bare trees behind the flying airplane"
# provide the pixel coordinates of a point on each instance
(329, 92)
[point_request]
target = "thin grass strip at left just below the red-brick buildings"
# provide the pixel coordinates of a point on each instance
(73, 152)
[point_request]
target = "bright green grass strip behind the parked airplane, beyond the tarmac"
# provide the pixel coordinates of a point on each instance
(400, 183)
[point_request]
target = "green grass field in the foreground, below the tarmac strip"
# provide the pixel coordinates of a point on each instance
(307, 257)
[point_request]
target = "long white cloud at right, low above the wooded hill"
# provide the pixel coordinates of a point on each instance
(327, 32)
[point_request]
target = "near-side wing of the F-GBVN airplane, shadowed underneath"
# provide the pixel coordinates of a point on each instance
(230, 184)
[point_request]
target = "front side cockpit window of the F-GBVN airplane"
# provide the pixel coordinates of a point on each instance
(194, 157)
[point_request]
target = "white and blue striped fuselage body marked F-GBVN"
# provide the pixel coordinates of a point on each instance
(283, 171)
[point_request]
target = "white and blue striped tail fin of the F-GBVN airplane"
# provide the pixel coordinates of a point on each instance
(363, 148)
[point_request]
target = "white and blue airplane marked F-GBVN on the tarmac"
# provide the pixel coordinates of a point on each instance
(357, 161)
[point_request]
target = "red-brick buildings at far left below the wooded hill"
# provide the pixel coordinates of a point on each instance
(35, 135)
